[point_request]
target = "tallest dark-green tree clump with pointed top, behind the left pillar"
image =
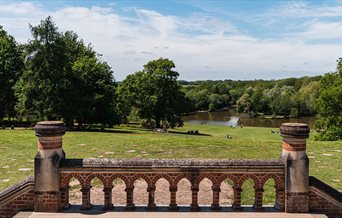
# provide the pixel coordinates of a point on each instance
(64, 79)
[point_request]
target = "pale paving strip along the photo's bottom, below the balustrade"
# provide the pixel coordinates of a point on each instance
(170, 215)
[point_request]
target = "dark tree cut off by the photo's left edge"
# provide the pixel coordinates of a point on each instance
(11, 66)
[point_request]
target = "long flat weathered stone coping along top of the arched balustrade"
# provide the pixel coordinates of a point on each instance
(172, 163)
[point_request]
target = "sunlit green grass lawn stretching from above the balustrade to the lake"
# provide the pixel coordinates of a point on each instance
(18, 148)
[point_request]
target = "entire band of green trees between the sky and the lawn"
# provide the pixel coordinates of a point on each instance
(56, 76)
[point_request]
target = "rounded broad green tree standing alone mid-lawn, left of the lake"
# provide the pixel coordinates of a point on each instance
(155, 93)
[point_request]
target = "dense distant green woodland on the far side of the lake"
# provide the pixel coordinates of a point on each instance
(288, 97)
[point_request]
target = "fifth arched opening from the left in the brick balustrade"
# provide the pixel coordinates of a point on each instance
(162, 193)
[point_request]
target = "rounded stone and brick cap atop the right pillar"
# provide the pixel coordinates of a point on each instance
(294, 130)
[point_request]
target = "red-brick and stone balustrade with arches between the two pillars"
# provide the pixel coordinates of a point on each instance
(172, 170)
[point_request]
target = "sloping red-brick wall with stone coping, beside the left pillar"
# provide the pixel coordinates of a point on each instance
(19, 197)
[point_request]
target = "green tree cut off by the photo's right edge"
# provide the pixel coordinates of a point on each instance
(329, 105)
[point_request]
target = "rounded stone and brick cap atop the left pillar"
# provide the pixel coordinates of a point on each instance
(49, 128)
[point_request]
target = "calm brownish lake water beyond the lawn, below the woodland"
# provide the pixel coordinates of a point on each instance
(231, 118)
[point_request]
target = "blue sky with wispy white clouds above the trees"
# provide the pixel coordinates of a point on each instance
(215, 40)
